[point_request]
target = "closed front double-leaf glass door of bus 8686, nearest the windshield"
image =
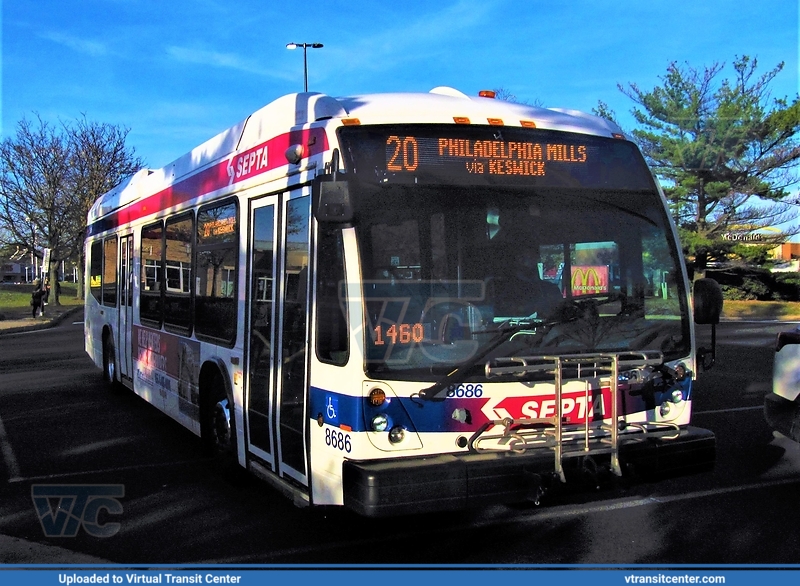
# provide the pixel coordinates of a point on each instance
(278, 309)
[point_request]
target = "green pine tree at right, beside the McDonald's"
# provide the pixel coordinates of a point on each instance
(726, 153)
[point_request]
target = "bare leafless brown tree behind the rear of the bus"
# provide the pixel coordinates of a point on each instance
(49, 178)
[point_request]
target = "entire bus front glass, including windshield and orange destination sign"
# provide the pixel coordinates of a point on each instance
(465, 231)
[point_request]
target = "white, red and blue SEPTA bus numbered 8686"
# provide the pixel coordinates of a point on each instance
(315, 292)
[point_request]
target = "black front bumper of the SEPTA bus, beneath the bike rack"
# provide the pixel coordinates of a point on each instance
(380, 488)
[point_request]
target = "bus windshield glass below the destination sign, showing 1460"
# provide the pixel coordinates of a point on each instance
(571, 270)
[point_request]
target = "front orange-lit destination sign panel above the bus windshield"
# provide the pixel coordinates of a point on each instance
(437, 154)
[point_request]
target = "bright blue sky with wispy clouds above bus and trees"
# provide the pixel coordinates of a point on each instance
(177, 72)
